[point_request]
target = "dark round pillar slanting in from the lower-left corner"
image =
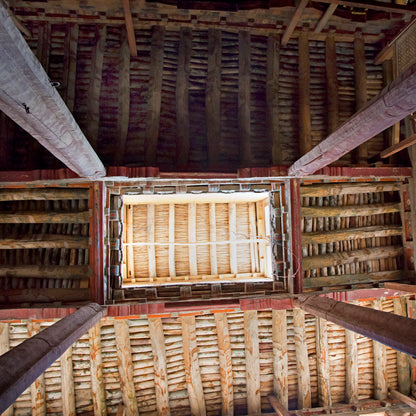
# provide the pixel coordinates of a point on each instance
(33, 356)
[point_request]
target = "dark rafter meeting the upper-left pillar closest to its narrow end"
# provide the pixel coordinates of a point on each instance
(94, 89)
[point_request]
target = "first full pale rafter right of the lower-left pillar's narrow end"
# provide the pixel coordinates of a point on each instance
(125, 366)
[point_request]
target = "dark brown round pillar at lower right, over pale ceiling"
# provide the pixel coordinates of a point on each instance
(395, 331)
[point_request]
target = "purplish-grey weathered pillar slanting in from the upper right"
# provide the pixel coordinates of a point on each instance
(394, 102)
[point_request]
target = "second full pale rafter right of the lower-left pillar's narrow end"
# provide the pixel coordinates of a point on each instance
(157, 340)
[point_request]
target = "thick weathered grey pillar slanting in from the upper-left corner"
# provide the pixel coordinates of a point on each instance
(27, 97)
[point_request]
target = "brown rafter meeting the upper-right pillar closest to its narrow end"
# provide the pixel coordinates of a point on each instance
(305, 129)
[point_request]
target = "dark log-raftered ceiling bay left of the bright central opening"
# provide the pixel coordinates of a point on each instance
(44, 245)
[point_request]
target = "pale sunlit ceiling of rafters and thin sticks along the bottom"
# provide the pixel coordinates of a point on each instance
(206, 363)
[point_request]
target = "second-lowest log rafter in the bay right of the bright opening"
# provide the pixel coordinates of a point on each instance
(348, 257)
